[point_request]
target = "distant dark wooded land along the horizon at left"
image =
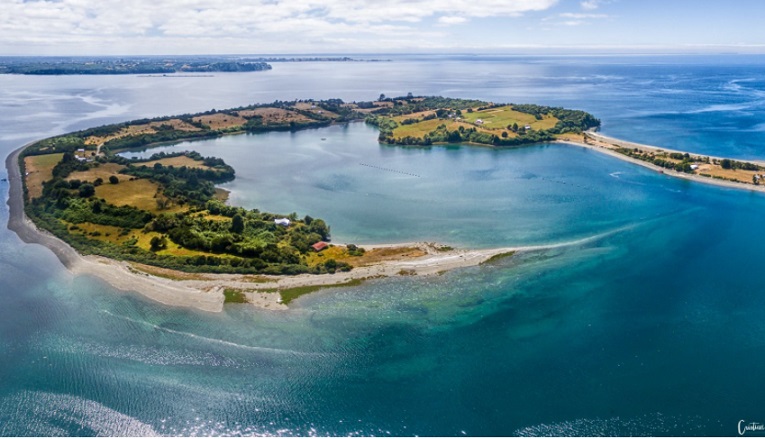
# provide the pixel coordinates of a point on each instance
(146, 65)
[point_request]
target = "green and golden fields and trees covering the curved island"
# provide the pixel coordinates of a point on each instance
(163, 211)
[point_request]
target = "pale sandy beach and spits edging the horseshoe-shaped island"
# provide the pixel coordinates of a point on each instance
(205, 291)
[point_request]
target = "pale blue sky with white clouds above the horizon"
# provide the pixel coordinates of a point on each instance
(125, 27)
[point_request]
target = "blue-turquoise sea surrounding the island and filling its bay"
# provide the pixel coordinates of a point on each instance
(644, 317)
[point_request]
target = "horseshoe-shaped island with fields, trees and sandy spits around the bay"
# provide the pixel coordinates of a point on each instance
(160, 225)
